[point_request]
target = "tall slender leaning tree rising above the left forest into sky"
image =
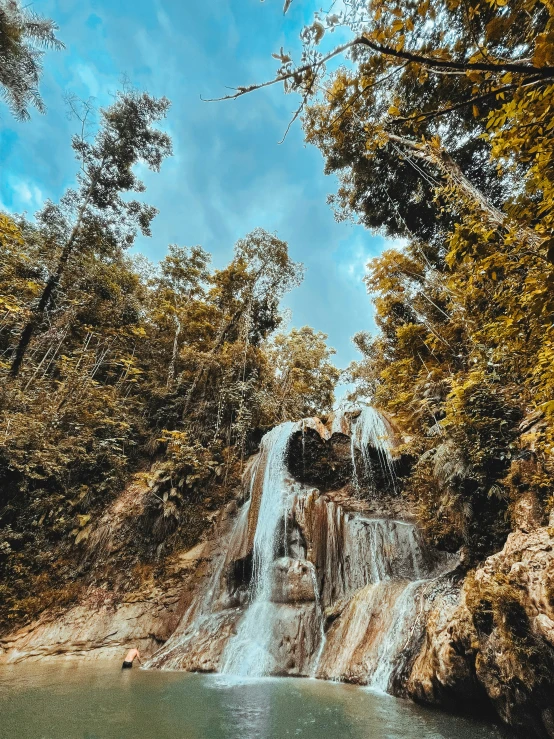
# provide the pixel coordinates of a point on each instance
(97, 211)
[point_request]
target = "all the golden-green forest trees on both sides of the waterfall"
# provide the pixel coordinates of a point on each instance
(436, 117)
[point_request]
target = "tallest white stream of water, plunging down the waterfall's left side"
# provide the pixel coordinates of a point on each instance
(248, 653)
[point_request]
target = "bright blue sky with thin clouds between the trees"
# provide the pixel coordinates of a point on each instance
(228, 174)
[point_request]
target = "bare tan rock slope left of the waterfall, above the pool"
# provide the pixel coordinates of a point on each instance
(105, 622)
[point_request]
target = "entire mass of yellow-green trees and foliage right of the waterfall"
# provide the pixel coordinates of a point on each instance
(436, 118)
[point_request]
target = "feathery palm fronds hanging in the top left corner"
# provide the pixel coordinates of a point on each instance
(24, 36)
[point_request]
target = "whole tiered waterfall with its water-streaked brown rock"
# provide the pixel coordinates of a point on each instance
(307, 586)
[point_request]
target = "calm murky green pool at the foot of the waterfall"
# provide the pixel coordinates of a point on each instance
(103, 702)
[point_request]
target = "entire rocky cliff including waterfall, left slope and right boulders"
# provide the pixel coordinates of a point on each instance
(348, 591)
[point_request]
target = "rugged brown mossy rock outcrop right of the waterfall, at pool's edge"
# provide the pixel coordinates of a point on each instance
(490, 642)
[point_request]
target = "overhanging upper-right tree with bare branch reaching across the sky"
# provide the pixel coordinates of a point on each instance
(421, 79)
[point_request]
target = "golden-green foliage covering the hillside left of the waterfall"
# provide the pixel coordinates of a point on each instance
(169, 366)
